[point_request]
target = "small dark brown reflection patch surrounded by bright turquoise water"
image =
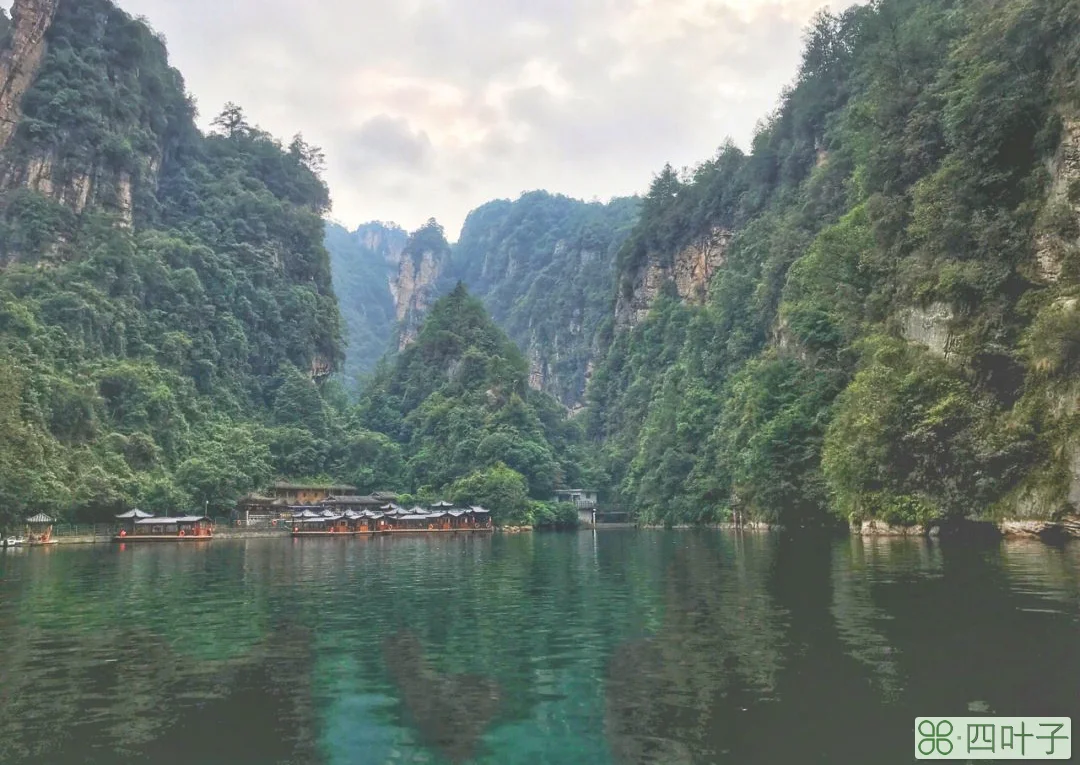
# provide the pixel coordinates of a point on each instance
(451, 712)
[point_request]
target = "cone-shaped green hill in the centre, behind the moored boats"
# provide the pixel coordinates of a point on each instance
(457, 402)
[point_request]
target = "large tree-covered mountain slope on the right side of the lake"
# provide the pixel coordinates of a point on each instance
(894, 330)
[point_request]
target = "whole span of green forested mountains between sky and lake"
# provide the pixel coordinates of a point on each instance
(872, 314)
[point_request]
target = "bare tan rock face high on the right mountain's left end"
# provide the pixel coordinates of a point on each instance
(691, 271)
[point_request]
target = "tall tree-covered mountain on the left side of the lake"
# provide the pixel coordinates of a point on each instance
(166, 301)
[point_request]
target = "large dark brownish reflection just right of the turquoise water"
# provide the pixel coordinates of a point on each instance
(678, 697)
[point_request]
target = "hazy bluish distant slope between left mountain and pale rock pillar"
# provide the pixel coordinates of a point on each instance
(364, 264)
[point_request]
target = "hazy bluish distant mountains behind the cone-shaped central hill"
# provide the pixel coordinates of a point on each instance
(543, 265)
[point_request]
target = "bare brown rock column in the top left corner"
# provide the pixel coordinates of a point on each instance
(21, 59)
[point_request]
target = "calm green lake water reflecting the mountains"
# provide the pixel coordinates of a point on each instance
(617, 647)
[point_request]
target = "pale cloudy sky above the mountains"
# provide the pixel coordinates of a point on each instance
(433, 108)
